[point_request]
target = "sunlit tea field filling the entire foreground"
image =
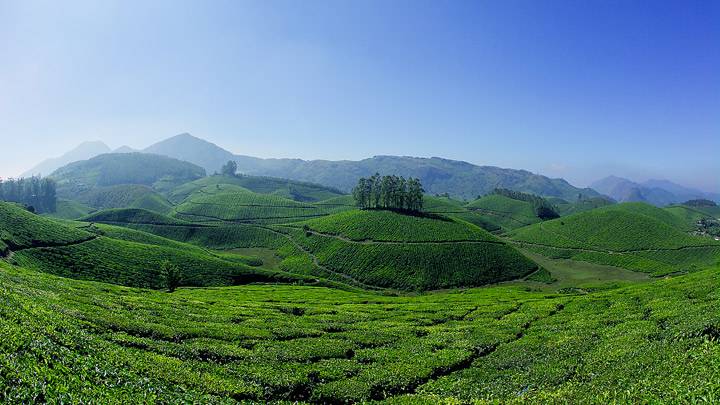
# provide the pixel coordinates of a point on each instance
(69, 341)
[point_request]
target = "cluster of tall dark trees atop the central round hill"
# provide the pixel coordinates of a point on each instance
(389, 192)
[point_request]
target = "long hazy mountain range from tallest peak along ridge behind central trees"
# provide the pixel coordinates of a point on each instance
(438, 176)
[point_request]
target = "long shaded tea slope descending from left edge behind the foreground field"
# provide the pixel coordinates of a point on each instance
(92, 253)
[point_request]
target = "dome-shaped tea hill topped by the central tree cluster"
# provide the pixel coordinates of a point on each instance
(390, 249)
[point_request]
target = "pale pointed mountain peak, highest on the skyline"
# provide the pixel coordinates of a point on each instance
(194, 150)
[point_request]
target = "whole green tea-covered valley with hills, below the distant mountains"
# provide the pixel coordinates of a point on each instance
(290, 293)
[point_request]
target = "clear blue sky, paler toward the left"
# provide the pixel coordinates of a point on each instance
(573, 89)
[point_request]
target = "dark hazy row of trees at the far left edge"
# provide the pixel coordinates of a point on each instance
(37, 193)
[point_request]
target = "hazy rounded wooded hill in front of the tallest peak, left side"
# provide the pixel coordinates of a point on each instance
(112, 169)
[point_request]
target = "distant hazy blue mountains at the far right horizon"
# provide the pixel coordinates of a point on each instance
(655, 192)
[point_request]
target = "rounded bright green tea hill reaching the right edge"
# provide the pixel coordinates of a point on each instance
(622, 238)
